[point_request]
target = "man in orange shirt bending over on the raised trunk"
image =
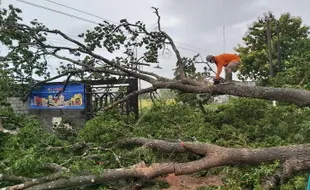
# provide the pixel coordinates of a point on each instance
(228, 60)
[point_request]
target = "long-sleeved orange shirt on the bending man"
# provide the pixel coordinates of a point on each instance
(223, 60)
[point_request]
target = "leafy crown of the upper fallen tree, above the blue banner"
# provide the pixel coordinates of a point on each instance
(28, 47)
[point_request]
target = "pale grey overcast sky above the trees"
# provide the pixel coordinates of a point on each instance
(195, 25)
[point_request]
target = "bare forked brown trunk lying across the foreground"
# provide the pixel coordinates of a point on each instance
(295, 157)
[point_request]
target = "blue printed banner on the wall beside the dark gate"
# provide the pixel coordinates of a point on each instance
(72, 98)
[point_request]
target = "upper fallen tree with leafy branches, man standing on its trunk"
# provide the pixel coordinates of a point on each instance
(90, 64)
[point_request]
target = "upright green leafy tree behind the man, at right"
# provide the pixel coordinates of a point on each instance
(287, 32)
